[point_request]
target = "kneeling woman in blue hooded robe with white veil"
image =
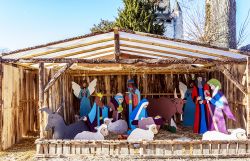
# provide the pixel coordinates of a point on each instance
(138, 113)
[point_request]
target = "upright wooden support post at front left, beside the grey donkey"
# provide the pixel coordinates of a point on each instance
(41, 98)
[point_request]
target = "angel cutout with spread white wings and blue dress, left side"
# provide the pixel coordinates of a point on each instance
(83, 94)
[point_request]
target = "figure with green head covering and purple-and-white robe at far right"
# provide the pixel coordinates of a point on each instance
(220, 103)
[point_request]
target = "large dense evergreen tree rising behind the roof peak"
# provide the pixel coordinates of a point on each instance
(139, 15)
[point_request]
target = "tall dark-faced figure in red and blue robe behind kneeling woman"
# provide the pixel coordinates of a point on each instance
(132, 98)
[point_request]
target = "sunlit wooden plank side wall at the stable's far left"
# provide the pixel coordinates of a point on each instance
(19, 109)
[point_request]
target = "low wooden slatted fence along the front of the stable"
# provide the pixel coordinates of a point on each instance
(143, 149)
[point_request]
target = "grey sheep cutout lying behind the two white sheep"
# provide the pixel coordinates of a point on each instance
(117, 127)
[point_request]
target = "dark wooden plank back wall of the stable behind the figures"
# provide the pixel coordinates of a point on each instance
(150, 85)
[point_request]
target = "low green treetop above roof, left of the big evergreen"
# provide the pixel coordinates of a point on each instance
(103, 26)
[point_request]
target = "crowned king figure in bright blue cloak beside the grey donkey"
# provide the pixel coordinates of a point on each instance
(97, 114)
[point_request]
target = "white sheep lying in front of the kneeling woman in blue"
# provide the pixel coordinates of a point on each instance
(141, 134)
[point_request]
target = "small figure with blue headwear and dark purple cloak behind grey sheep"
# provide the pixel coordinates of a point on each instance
(115, 106)
